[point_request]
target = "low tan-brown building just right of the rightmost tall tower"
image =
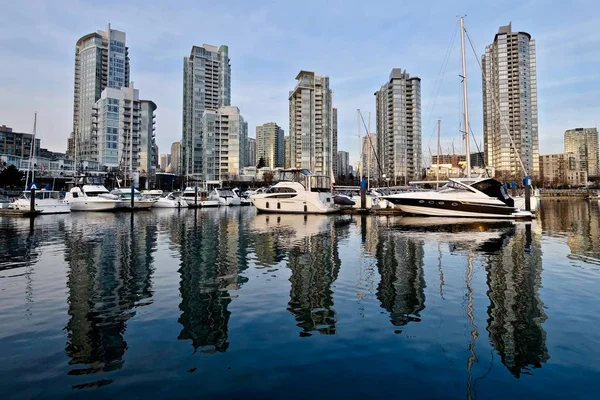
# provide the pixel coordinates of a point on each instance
(562, 169)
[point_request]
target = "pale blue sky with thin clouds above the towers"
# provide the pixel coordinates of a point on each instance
(355, 43)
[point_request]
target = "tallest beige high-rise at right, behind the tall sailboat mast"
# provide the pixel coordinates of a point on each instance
(510, 103)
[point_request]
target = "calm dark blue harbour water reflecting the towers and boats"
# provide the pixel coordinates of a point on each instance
(226, 303)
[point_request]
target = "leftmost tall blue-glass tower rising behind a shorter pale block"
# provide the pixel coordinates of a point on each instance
(101, 61)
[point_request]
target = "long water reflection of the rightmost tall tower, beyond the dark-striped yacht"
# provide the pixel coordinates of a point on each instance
(516, 312)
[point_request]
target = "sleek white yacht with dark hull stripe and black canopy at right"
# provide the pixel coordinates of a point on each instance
(483, 198)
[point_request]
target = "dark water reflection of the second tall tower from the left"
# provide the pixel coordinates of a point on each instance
(213, 254)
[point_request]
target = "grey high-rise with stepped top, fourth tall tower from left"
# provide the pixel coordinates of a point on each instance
(398, 109)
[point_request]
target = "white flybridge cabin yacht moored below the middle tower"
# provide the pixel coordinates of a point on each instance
(298, 191)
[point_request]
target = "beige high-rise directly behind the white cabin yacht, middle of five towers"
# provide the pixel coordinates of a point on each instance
(311, 124)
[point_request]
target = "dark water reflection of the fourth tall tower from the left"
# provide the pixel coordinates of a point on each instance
(401, 289)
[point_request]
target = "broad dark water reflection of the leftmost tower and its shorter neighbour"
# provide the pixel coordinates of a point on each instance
(110, 274)
